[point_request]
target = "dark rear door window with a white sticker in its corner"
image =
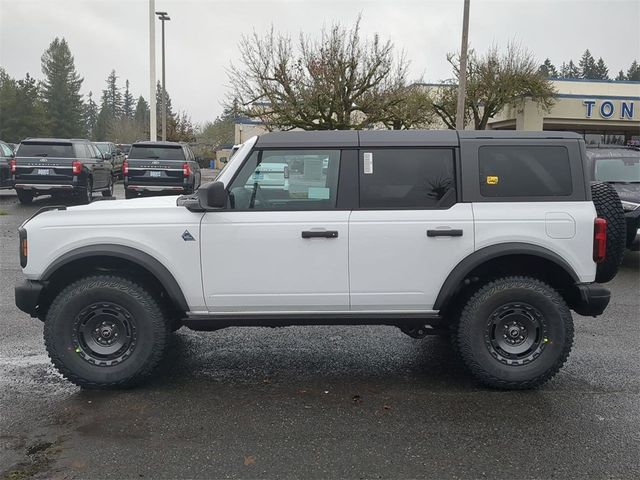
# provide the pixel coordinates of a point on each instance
(407, 178)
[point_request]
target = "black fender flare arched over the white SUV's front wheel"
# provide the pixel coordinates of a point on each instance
(133, 255)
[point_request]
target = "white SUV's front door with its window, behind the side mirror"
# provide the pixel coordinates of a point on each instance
(280, 246)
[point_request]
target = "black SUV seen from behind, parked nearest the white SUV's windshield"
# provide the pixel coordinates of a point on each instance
(155, 168)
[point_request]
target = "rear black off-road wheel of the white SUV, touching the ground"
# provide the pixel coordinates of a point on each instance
(476, 333)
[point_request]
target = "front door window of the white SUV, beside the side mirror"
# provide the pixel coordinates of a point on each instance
(287, 180)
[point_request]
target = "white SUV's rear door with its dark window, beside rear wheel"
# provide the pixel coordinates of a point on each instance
(410, 230)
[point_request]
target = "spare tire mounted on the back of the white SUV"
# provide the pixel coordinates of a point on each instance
(608, 206)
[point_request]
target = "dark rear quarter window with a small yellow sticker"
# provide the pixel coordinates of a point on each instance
(524, 171)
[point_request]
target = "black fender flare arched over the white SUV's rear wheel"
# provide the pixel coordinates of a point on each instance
(477, 258)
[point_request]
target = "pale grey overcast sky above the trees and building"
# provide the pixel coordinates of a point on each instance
(203, 35)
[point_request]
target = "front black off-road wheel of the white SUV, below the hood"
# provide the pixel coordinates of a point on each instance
(124, 298)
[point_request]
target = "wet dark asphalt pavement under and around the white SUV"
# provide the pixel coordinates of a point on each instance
(319, 402)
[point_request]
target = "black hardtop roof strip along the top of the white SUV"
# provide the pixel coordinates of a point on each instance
(395, 138)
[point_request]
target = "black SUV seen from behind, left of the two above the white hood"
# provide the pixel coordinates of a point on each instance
(54, 166)
